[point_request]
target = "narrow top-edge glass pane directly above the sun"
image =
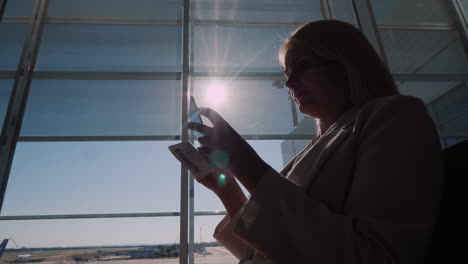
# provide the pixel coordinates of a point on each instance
(258, 10)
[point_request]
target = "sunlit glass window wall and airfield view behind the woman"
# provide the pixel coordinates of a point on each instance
(93, 92)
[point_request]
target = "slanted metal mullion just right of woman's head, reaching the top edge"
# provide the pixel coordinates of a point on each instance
(367, 24)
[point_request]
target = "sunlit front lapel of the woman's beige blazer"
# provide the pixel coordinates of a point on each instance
(306, 168)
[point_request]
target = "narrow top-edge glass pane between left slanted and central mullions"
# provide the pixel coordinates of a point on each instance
(116, 9)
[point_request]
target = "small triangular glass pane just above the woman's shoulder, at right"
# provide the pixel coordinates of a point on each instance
(426, 91)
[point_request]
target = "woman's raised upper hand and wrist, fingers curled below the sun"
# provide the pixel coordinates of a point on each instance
(228, 150)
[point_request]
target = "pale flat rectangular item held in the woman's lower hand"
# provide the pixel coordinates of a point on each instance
(188, 155)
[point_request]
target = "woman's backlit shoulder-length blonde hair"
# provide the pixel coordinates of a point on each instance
(368, 76)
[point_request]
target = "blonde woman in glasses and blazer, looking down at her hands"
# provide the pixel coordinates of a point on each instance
(367, 188)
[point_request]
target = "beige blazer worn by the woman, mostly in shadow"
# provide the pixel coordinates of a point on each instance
(367, 191)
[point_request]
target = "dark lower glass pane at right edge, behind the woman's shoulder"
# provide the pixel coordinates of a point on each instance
(450, 111)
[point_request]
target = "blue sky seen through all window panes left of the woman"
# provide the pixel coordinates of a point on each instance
(124, 177)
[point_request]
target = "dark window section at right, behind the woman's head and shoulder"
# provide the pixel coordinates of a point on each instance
(421, 41)
